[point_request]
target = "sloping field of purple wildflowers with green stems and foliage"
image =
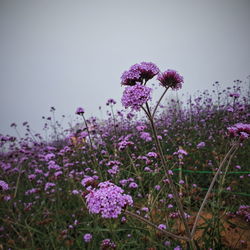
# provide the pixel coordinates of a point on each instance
(156, 175)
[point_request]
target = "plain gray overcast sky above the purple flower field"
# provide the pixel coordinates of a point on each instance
(72, 53)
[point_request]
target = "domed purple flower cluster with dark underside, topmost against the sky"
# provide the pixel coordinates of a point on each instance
(138, 73)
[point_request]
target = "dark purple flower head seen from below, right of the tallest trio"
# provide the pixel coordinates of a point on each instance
(171, 79)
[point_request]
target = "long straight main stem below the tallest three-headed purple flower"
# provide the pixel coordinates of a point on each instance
(175, 193)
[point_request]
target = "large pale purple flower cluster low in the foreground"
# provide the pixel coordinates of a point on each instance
(108, 200)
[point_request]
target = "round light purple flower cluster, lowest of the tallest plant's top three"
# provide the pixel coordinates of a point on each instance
(135, 96)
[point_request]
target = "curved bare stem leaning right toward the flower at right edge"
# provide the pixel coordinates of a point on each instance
(234, 146)
